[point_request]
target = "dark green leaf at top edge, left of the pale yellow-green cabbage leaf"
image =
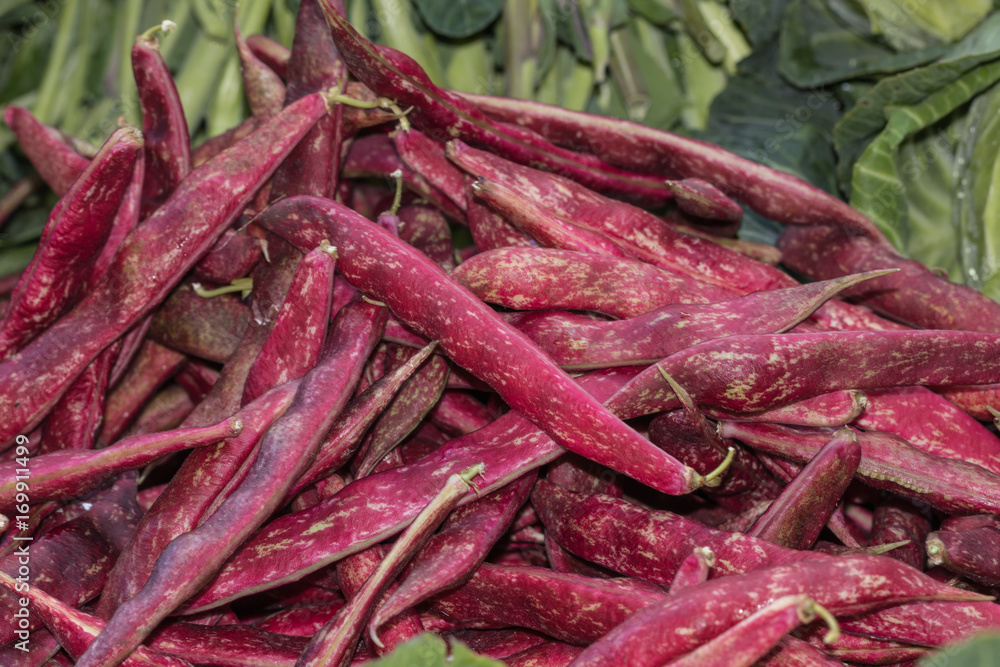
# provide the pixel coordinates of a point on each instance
(817, 48)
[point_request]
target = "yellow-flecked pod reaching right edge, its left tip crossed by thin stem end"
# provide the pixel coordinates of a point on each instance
(753, 373)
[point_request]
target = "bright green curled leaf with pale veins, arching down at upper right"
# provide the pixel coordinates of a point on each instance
(877, 188)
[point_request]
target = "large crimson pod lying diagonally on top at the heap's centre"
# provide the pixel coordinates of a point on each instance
(477, 339)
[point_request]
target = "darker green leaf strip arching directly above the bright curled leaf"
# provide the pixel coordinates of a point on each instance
(866, 119)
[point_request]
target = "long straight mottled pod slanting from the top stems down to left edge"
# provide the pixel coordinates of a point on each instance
(177, 234)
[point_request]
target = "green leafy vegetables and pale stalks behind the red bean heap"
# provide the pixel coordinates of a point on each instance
(890, 104)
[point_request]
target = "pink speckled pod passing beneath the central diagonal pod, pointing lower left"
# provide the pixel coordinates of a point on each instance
(510, 447)
